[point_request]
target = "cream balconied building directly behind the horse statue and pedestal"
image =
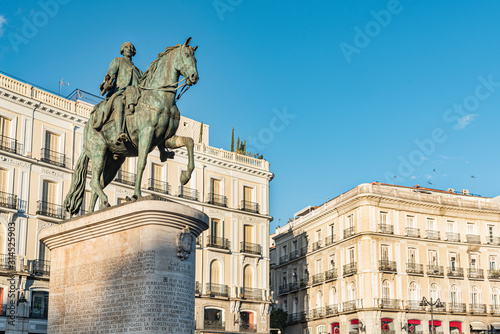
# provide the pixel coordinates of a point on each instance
(41, 137)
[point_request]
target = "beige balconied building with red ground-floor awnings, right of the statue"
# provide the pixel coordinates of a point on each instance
(363, 262)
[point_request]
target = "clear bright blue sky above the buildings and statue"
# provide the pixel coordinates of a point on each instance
(333, 93)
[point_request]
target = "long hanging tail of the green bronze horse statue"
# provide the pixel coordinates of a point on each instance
(74, 198)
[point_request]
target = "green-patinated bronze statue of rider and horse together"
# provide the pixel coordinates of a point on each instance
(138, 114)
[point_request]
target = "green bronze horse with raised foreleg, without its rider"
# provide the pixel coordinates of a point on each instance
(153, 124)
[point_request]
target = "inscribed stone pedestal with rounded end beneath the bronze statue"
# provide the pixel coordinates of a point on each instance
(126, 269)
